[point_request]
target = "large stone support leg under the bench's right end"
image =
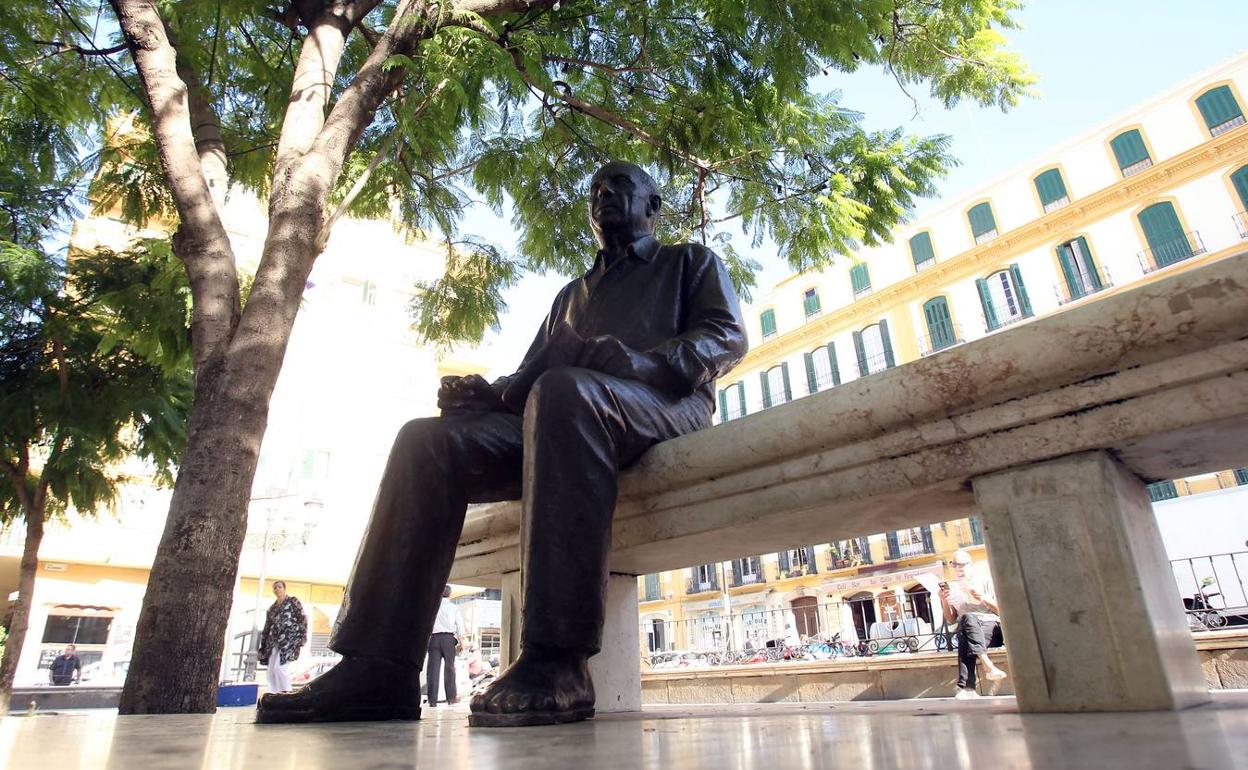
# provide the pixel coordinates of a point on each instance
(1091, 615)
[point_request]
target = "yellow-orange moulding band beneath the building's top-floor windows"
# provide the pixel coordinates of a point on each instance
(1184, 168)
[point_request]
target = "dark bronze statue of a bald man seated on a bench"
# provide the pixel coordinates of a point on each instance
(627, 359)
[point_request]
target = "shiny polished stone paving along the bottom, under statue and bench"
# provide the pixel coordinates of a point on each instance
(938, 734)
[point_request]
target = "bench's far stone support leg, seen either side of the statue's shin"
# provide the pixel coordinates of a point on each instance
(617, 668)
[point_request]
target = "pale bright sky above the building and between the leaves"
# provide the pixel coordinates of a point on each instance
(1095, 59)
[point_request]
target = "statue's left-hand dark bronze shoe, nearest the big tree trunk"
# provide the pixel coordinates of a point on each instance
(358, 690)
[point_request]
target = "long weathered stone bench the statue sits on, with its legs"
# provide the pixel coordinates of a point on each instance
(1048, 430)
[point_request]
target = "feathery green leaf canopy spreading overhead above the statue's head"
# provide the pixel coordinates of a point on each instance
(711, 95)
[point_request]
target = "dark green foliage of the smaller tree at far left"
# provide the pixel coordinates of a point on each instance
(95, 368)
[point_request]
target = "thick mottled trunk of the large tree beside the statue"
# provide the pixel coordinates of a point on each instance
(178, 648)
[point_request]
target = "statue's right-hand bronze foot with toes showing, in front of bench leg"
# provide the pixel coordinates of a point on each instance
(544, 687)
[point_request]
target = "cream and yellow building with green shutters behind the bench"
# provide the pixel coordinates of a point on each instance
(1158, 190)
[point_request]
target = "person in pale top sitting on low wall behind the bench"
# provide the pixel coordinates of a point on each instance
(972, 602)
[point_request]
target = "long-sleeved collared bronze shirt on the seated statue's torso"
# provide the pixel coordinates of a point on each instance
(675, 301)
